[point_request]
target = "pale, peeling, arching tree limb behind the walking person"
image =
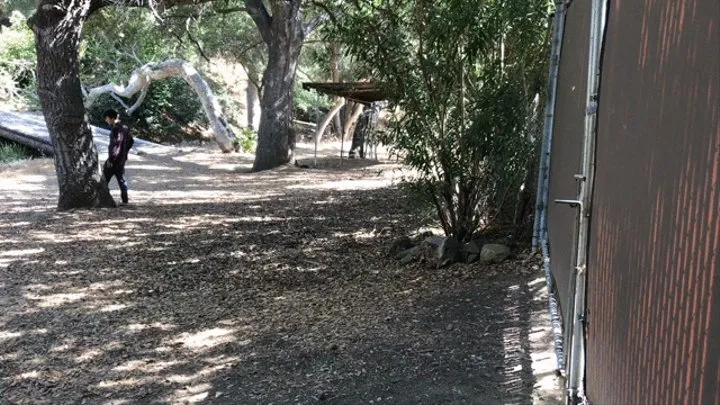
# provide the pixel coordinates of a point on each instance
(140, 82)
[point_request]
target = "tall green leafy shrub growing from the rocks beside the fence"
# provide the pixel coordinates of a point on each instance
(464, 77)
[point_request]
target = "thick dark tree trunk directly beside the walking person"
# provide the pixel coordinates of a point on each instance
(57, 38)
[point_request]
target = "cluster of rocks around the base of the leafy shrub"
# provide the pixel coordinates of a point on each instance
(446, 250)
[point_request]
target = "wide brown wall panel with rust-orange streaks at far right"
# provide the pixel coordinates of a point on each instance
(654, 269)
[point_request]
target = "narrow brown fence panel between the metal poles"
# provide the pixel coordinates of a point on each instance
(567, 143)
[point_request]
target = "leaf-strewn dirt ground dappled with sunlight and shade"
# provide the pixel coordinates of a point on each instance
(218, 286)
